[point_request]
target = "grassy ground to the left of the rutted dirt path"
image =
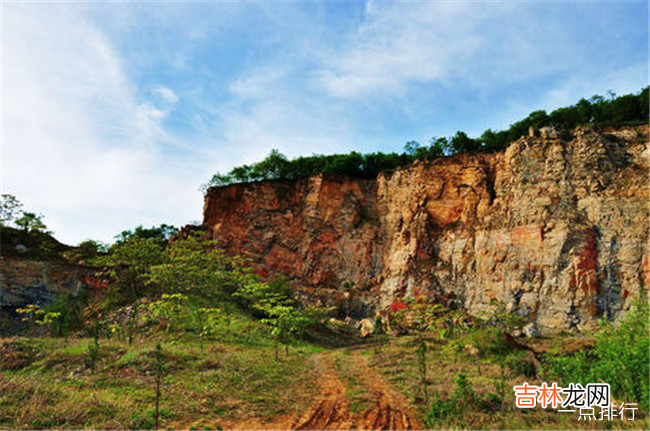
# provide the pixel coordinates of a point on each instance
(53, 388)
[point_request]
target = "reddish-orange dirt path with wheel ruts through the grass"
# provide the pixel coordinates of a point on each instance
(389, 409)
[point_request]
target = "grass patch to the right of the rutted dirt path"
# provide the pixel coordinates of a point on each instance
(397, 362)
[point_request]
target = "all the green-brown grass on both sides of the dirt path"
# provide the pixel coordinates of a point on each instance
(46, 384)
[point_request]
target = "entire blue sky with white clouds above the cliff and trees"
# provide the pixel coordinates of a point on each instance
(113, 114)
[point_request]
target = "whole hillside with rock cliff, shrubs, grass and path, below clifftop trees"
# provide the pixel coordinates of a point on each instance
(462, 262)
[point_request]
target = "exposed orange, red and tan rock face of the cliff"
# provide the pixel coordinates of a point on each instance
(555, 228)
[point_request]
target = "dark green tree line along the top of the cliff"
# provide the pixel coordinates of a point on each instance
(630, 109)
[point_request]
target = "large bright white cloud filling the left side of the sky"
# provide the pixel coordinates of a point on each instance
(77, 144)
